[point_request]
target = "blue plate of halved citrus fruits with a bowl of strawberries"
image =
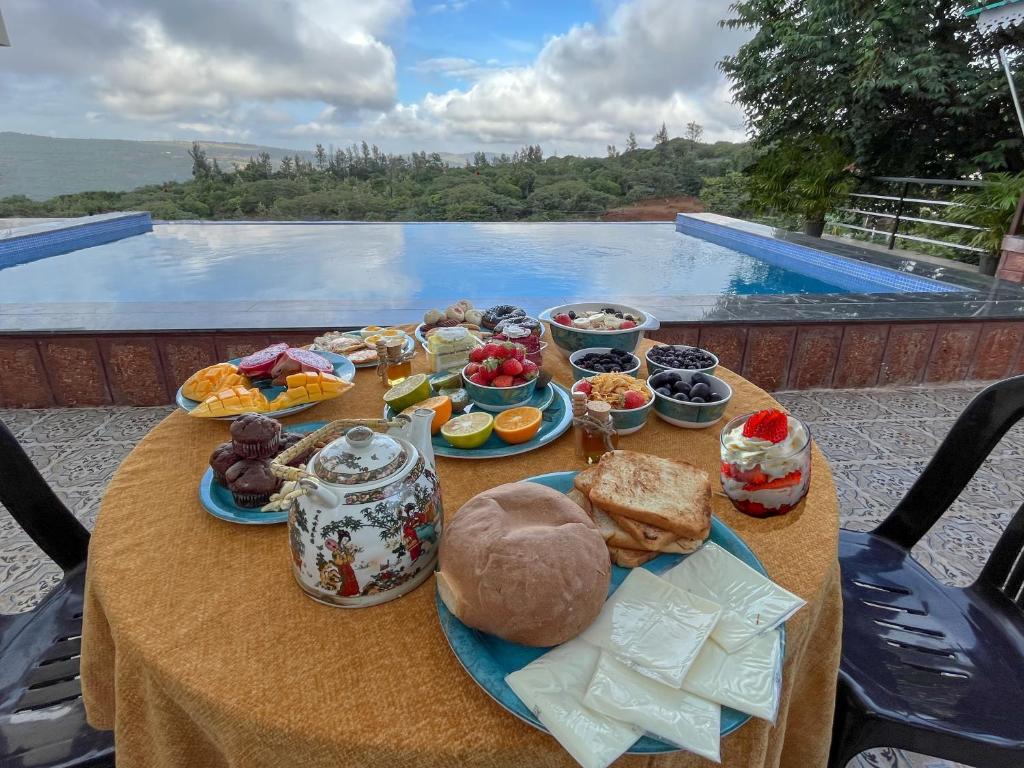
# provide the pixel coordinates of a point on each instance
(528, 415)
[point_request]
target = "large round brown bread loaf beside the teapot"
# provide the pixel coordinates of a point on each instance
(524, 563)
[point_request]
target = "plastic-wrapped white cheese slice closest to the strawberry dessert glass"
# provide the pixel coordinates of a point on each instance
(751, 603)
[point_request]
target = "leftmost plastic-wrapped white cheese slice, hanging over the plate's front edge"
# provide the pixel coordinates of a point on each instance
(553, 688)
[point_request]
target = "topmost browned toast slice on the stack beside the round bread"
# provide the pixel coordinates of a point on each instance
(669, 495)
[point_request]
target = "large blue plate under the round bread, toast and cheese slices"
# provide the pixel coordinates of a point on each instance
(489, 659)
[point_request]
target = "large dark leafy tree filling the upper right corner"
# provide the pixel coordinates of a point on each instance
(906, 87)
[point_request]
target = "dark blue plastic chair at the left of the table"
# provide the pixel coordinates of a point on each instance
(42, 718)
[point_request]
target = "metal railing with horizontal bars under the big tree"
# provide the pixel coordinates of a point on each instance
(878, 222)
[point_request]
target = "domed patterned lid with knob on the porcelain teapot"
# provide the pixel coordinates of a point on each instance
(363, 456)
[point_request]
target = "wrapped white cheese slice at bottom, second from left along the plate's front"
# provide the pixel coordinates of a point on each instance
(672, 715)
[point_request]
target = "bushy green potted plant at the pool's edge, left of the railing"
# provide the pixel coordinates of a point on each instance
(804, 177)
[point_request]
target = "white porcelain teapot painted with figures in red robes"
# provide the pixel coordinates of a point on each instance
(365, 514)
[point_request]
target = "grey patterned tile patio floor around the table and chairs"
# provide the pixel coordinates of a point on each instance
(877, 441)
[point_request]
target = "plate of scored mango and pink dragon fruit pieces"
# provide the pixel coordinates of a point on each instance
(276, 381)
